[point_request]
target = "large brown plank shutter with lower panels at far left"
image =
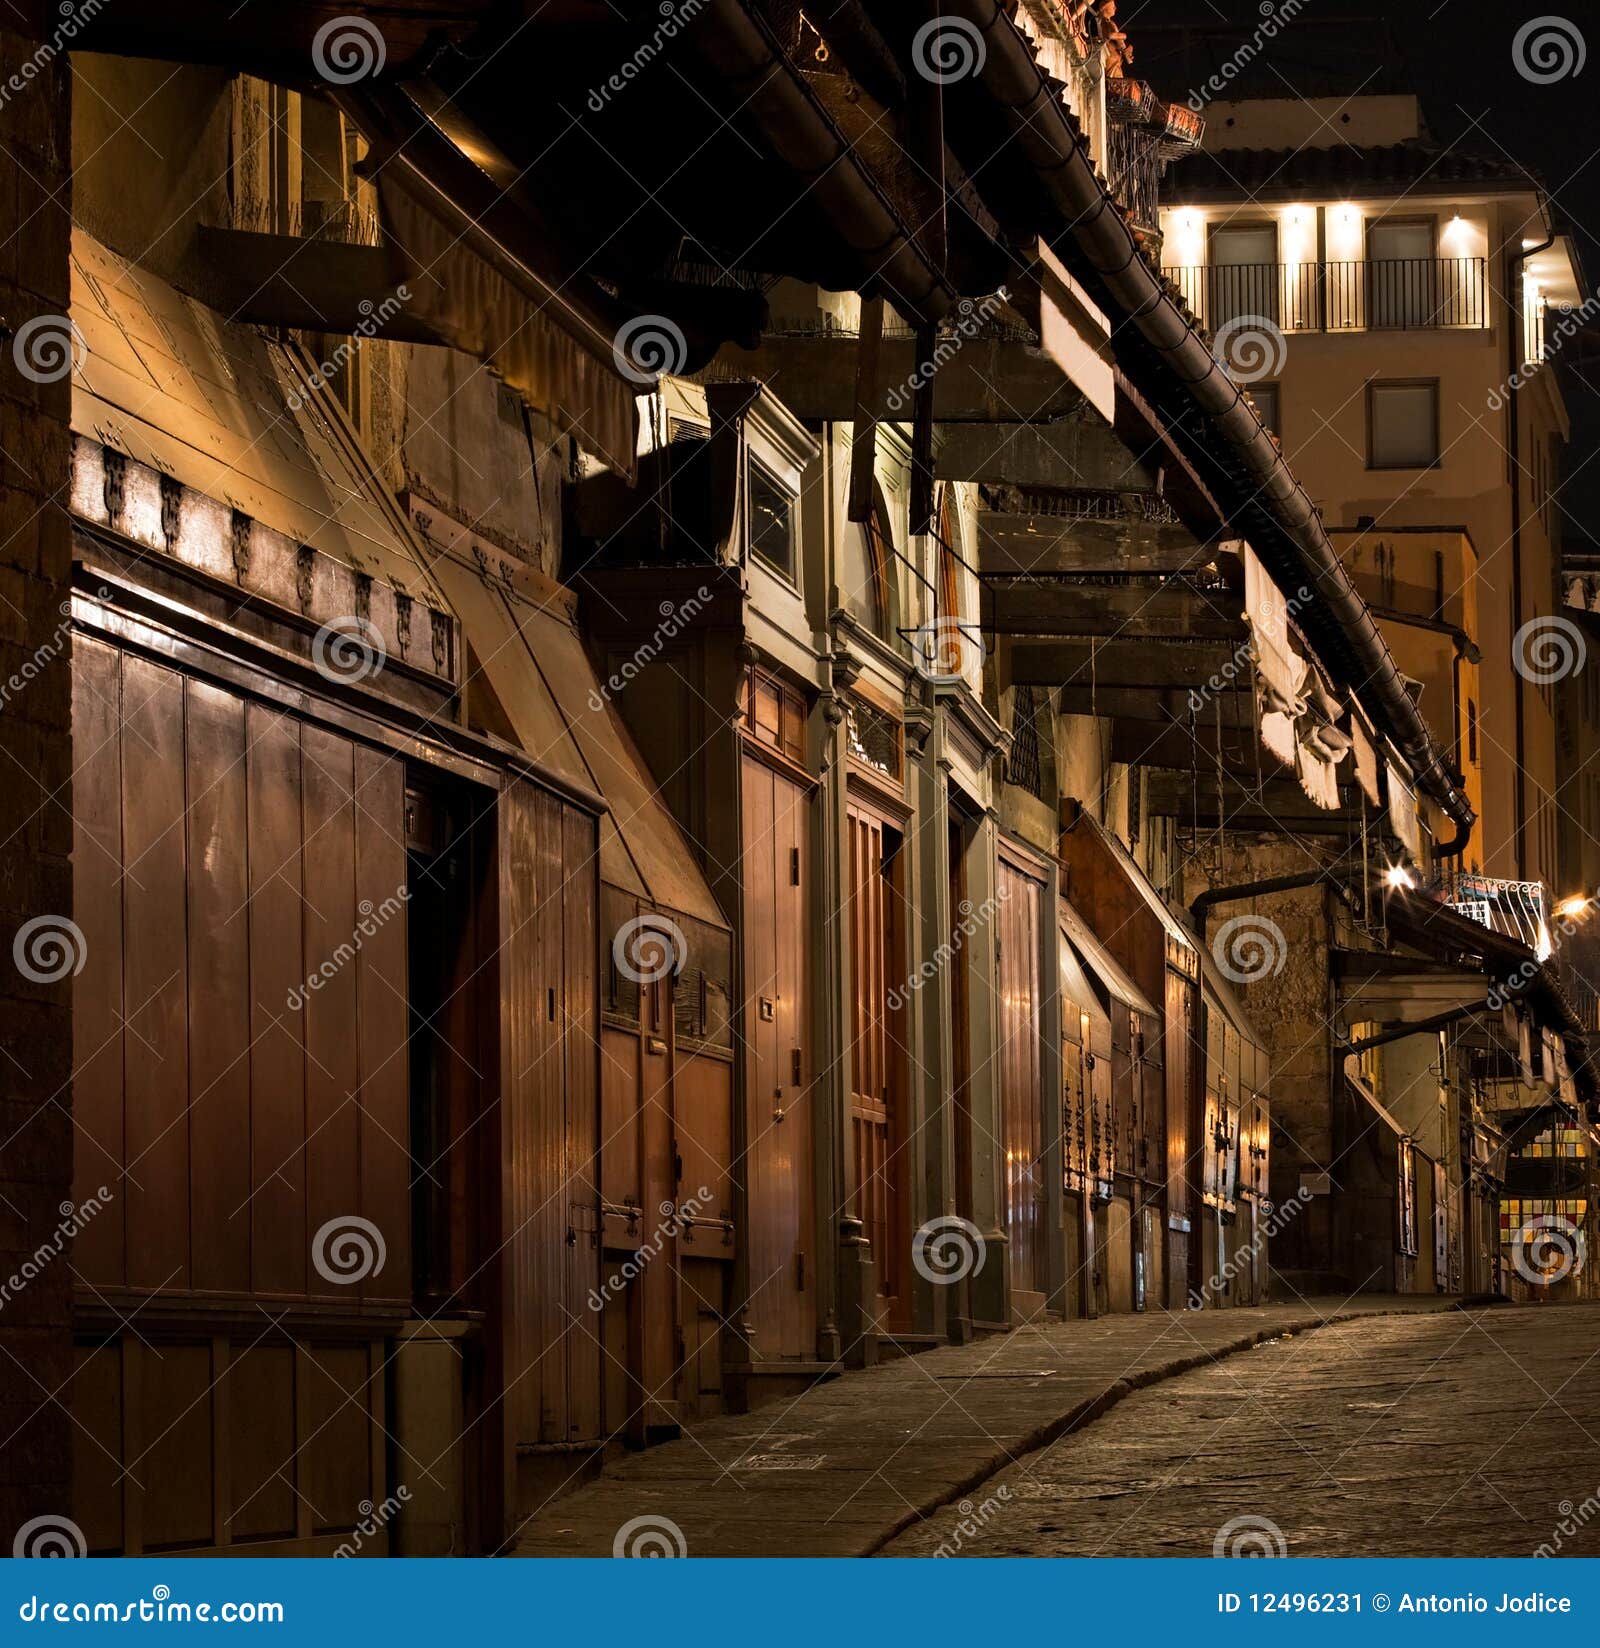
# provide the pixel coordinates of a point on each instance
(241, 1093)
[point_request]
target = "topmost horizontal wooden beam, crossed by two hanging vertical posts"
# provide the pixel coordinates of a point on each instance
(985, 380)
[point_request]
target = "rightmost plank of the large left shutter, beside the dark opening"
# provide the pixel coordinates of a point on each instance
(383, 995)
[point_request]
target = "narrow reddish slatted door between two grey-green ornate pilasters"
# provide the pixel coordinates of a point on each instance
(877, 1089)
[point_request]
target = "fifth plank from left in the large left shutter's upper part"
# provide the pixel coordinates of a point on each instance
(329, 1018)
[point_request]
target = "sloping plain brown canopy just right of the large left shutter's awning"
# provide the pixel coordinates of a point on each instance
(564, 716)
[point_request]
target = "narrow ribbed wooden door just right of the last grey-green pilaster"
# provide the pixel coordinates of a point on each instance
(1021, 1095)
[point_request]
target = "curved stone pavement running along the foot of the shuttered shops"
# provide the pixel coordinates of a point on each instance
(851, 1464)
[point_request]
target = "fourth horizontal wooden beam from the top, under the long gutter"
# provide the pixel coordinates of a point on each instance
(1149, 612)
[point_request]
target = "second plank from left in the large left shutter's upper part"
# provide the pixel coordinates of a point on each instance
(156, 980)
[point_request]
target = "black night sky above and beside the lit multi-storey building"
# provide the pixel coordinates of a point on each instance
(1457, 57)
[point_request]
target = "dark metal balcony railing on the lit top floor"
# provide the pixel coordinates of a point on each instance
(1405, 294)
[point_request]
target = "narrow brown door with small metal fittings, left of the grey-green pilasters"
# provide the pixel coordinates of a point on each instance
(779, 1151)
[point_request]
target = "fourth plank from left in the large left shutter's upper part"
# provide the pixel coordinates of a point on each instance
(279, 1234)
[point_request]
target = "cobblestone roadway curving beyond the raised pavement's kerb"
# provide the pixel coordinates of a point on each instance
(1454, 1435)
